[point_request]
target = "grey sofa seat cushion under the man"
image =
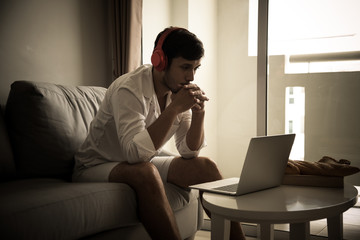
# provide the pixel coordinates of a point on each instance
(56, 209)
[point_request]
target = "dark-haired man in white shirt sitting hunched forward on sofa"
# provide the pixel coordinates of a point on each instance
(140, 112)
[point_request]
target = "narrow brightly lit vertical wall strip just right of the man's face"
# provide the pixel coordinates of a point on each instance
(204, 24)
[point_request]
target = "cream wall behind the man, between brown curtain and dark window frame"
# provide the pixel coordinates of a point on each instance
(227, 74)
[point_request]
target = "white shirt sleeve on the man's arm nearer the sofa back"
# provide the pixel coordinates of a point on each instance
(129, 116)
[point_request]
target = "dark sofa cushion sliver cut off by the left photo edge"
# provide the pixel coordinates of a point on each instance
(7, 166)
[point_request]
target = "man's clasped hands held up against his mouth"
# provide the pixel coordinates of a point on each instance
(190, 96)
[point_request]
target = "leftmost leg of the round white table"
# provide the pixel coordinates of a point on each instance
(220, 227)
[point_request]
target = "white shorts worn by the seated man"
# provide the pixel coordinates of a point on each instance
(101, 172)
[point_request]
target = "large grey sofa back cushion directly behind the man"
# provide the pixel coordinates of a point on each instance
(47, 123)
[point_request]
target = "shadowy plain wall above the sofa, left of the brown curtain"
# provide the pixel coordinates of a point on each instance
(59, 41)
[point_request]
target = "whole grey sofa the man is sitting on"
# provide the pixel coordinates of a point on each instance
(41, 128)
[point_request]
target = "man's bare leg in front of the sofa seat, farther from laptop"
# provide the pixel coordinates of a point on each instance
(154, 209)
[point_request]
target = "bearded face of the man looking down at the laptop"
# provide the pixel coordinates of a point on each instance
(181, 72)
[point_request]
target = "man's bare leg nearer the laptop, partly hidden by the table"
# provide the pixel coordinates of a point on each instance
(186, 172)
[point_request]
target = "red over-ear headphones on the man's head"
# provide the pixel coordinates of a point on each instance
(158, 58)
